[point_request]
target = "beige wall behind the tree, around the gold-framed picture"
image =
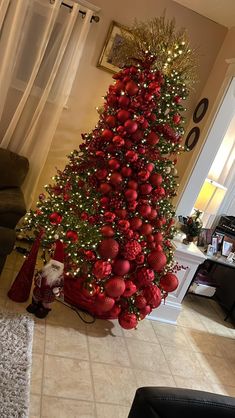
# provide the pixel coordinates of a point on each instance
(91, 83)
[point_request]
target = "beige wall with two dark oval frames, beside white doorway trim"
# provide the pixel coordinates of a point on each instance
(215, 88)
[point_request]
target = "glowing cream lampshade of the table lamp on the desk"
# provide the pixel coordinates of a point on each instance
(210, 197)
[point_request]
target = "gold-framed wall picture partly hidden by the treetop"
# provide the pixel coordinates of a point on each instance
(113, 40)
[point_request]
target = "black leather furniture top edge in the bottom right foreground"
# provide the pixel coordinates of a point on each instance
(165, 402)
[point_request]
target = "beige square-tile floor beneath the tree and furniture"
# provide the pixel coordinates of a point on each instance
(92, 371)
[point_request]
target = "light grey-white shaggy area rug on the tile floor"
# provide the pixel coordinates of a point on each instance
(16, 337)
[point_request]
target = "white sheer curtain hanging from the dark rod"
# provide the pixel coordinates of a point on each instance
(41, 42)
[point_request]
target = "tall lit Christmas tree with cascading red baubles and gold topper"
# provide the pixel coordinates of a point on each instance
(111, 205)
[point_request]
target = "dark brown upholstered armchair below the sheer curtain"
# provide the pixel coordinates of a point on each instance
(13, 170)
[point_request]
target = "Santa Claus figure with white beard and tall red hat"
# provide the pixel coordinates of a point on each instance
(48, 284)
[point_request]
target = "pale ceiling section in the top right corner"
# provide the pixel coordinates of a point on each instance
(220, 11)
